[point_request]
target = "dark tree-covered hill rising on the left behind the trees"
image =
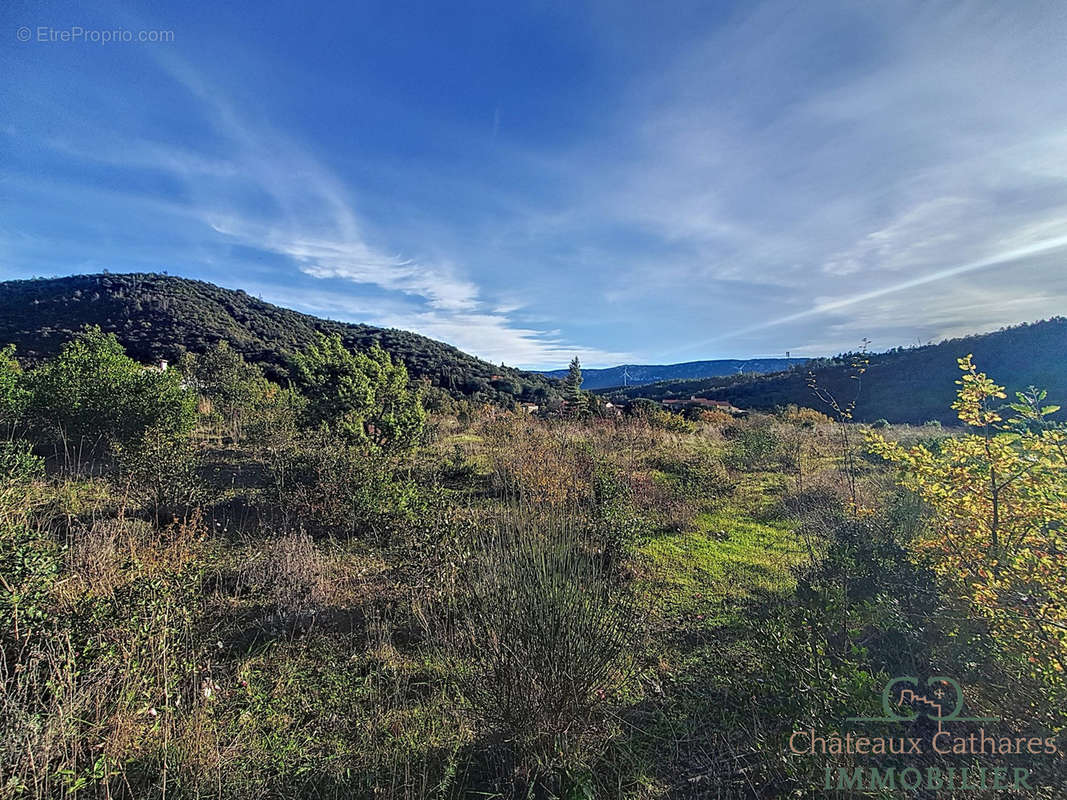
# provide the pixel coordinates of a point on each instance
(157, 316)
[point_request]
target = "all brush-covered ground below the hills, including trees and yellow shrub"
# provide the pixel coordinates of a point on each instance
(218, 587)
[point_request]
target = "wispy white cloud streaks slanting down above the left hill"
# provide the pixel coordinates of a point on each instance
(310, 219)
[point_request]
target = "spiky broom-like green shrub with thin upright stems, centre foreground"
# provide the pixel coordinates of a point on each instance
(546, 634)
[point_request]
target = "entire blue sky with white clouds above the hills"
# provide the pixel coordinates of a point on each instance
(531, 182)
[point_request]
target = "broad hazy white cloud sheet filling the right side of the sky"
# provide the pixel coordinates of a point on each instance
(777, 153)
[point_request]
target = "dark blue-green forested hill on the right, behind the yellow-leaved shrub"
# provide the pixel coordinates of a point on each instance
(903, 386)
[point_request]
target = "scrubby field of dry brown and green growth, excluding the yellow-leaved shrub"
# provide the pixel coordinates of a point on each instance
(641, 606)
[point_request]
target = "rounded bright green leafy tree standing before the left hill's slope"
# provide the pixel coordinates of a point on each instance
(367, 397)
